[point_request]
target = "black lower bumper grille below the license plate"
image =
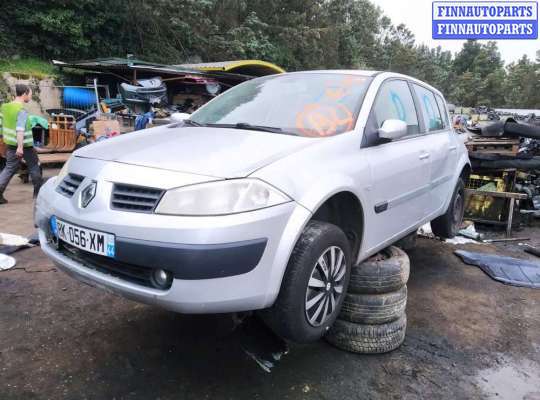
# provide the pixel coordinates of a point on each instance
(128, 272)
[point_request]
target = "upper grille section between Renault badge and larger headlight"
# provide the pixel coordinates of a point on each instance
(135, 198)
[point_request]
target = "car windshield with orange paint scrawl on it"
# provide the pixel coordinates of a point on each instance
(308, 104)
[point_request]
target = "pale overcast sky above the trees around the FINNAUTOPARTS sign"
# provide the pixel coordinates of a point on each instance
(416, 14)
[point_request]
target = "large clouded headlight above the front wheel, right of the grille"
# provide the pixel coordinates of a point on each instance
(220, 198)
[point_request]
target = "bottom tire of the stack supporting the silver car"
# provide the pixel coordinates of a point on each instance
(368, 339)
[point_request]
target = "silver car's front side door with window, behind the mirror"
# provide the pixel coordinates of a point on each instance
(399, 168)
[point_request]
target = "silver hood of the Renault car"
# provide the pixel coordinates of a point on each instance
(218, 152)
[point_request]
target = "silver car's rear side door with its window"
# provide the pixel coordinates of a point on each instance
(441, 146)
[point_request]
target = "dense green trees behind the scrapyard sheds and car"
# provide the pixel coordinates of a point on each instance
(295, 34)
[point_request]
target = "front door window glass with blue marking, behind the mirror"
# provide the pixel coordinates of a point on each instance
(394, 101)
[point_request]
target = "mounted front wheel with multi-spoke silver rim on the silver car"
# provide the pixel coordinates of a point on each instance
(290, 315)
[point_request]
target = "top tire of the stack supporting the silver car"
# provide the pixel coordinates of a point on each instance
(385, 272)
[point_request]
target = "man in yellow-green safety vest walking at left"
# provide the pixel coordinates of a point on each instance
(17, 135)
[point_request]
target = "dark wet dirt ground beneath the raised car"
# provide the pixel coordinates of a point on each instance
(468, 337)
